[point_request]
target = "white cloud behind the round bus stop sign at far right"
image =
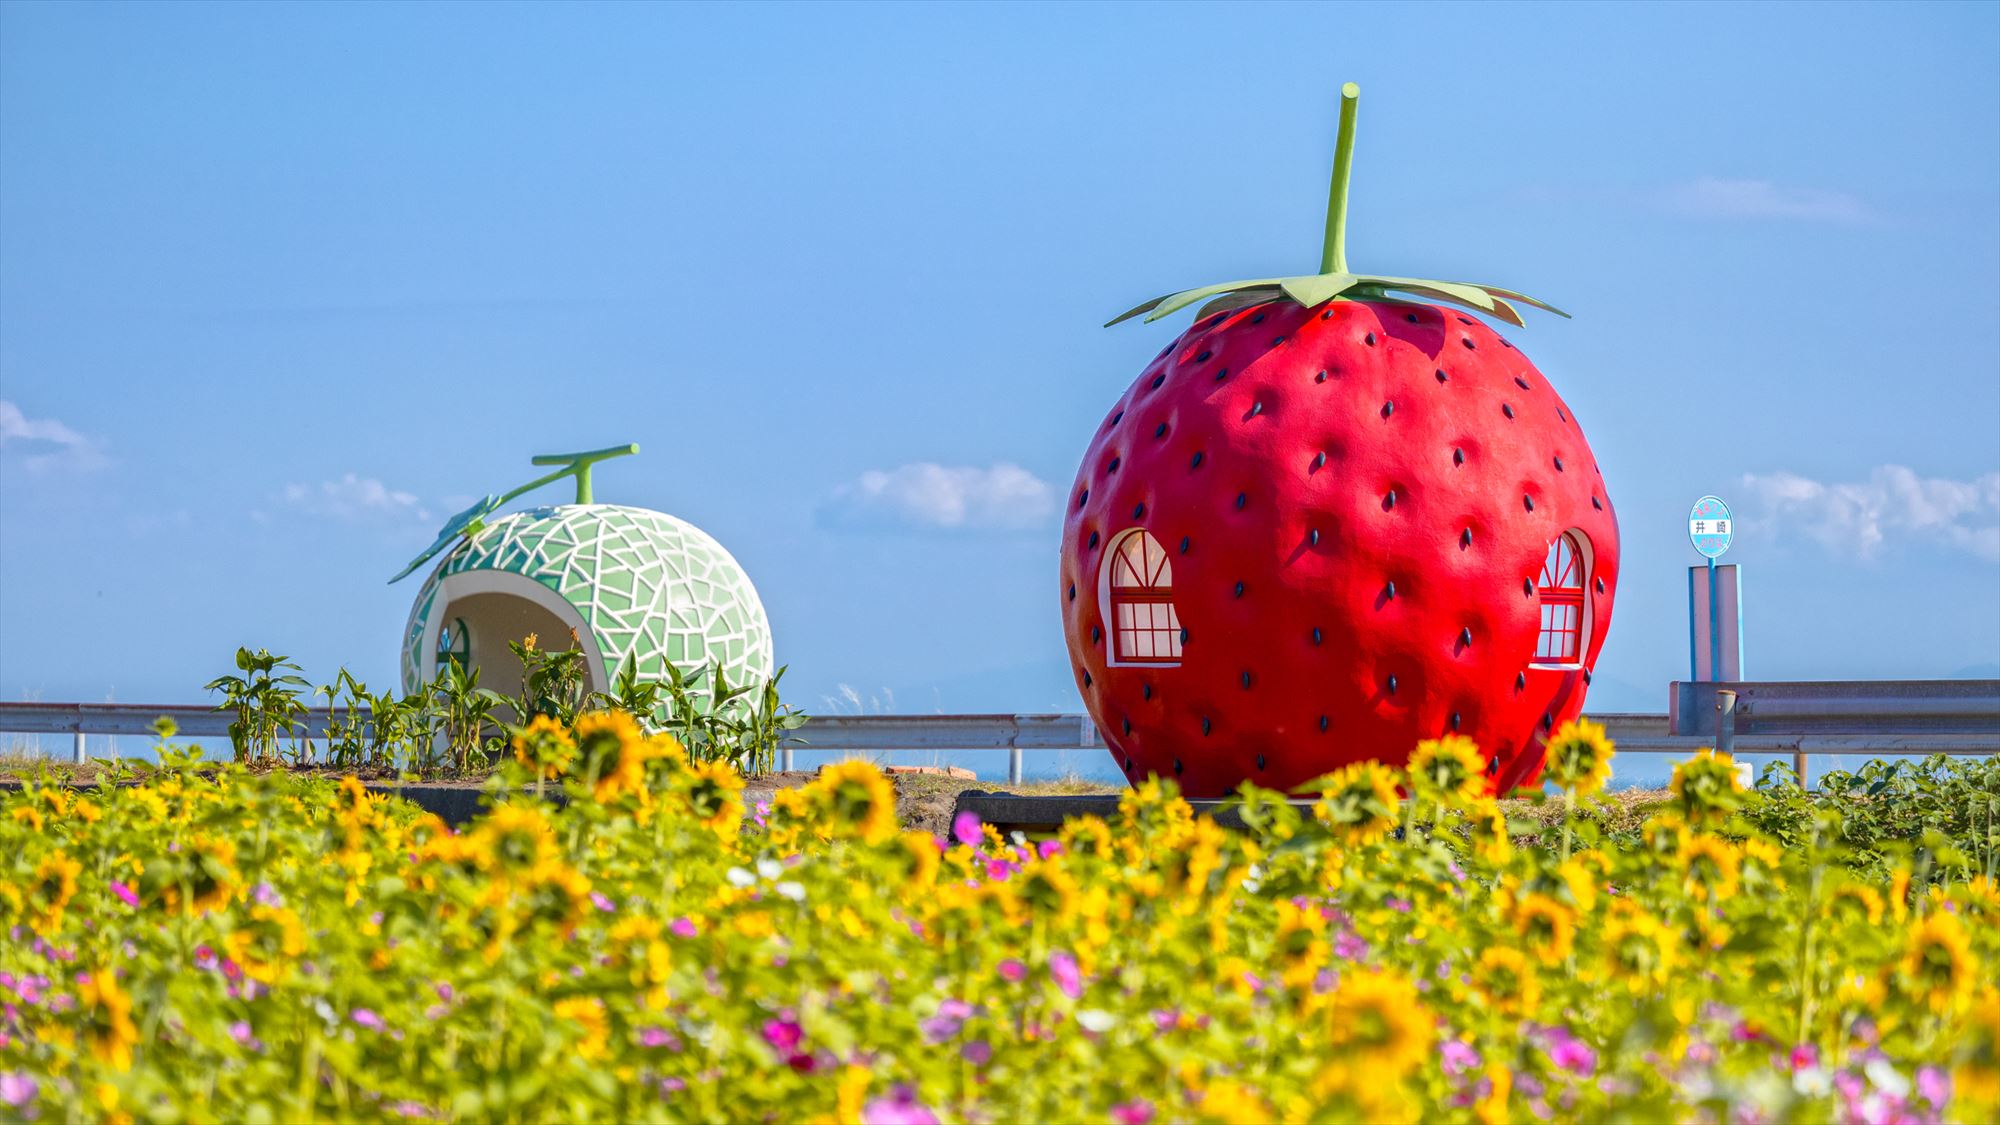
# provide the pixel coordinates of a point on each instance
(1895, 505)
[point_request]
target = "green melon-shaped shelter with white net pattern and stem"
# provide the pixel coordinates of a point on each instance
(631, 586)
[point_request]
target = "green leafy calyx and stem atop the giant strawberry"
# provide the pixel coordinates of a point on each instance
(1335, 281)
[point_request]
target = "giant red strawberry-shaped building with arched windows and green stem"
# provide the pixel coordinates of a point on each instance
(1333, 519)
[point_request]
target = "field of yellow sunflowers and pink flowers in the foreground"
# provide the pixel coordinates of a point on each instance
(223, 946)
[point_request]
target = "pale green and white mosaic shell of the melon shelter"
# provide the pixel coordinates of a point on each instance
(651, 588)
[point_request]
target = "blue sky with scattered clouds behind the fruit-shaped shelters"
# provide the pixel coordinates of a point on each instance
(281, 287)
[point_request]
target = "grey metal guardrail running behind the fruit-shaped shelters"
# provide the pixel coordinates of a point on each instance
(1843, 720)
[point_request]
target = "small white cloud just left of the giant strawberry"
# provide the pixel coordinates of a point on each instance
(923, 495)
